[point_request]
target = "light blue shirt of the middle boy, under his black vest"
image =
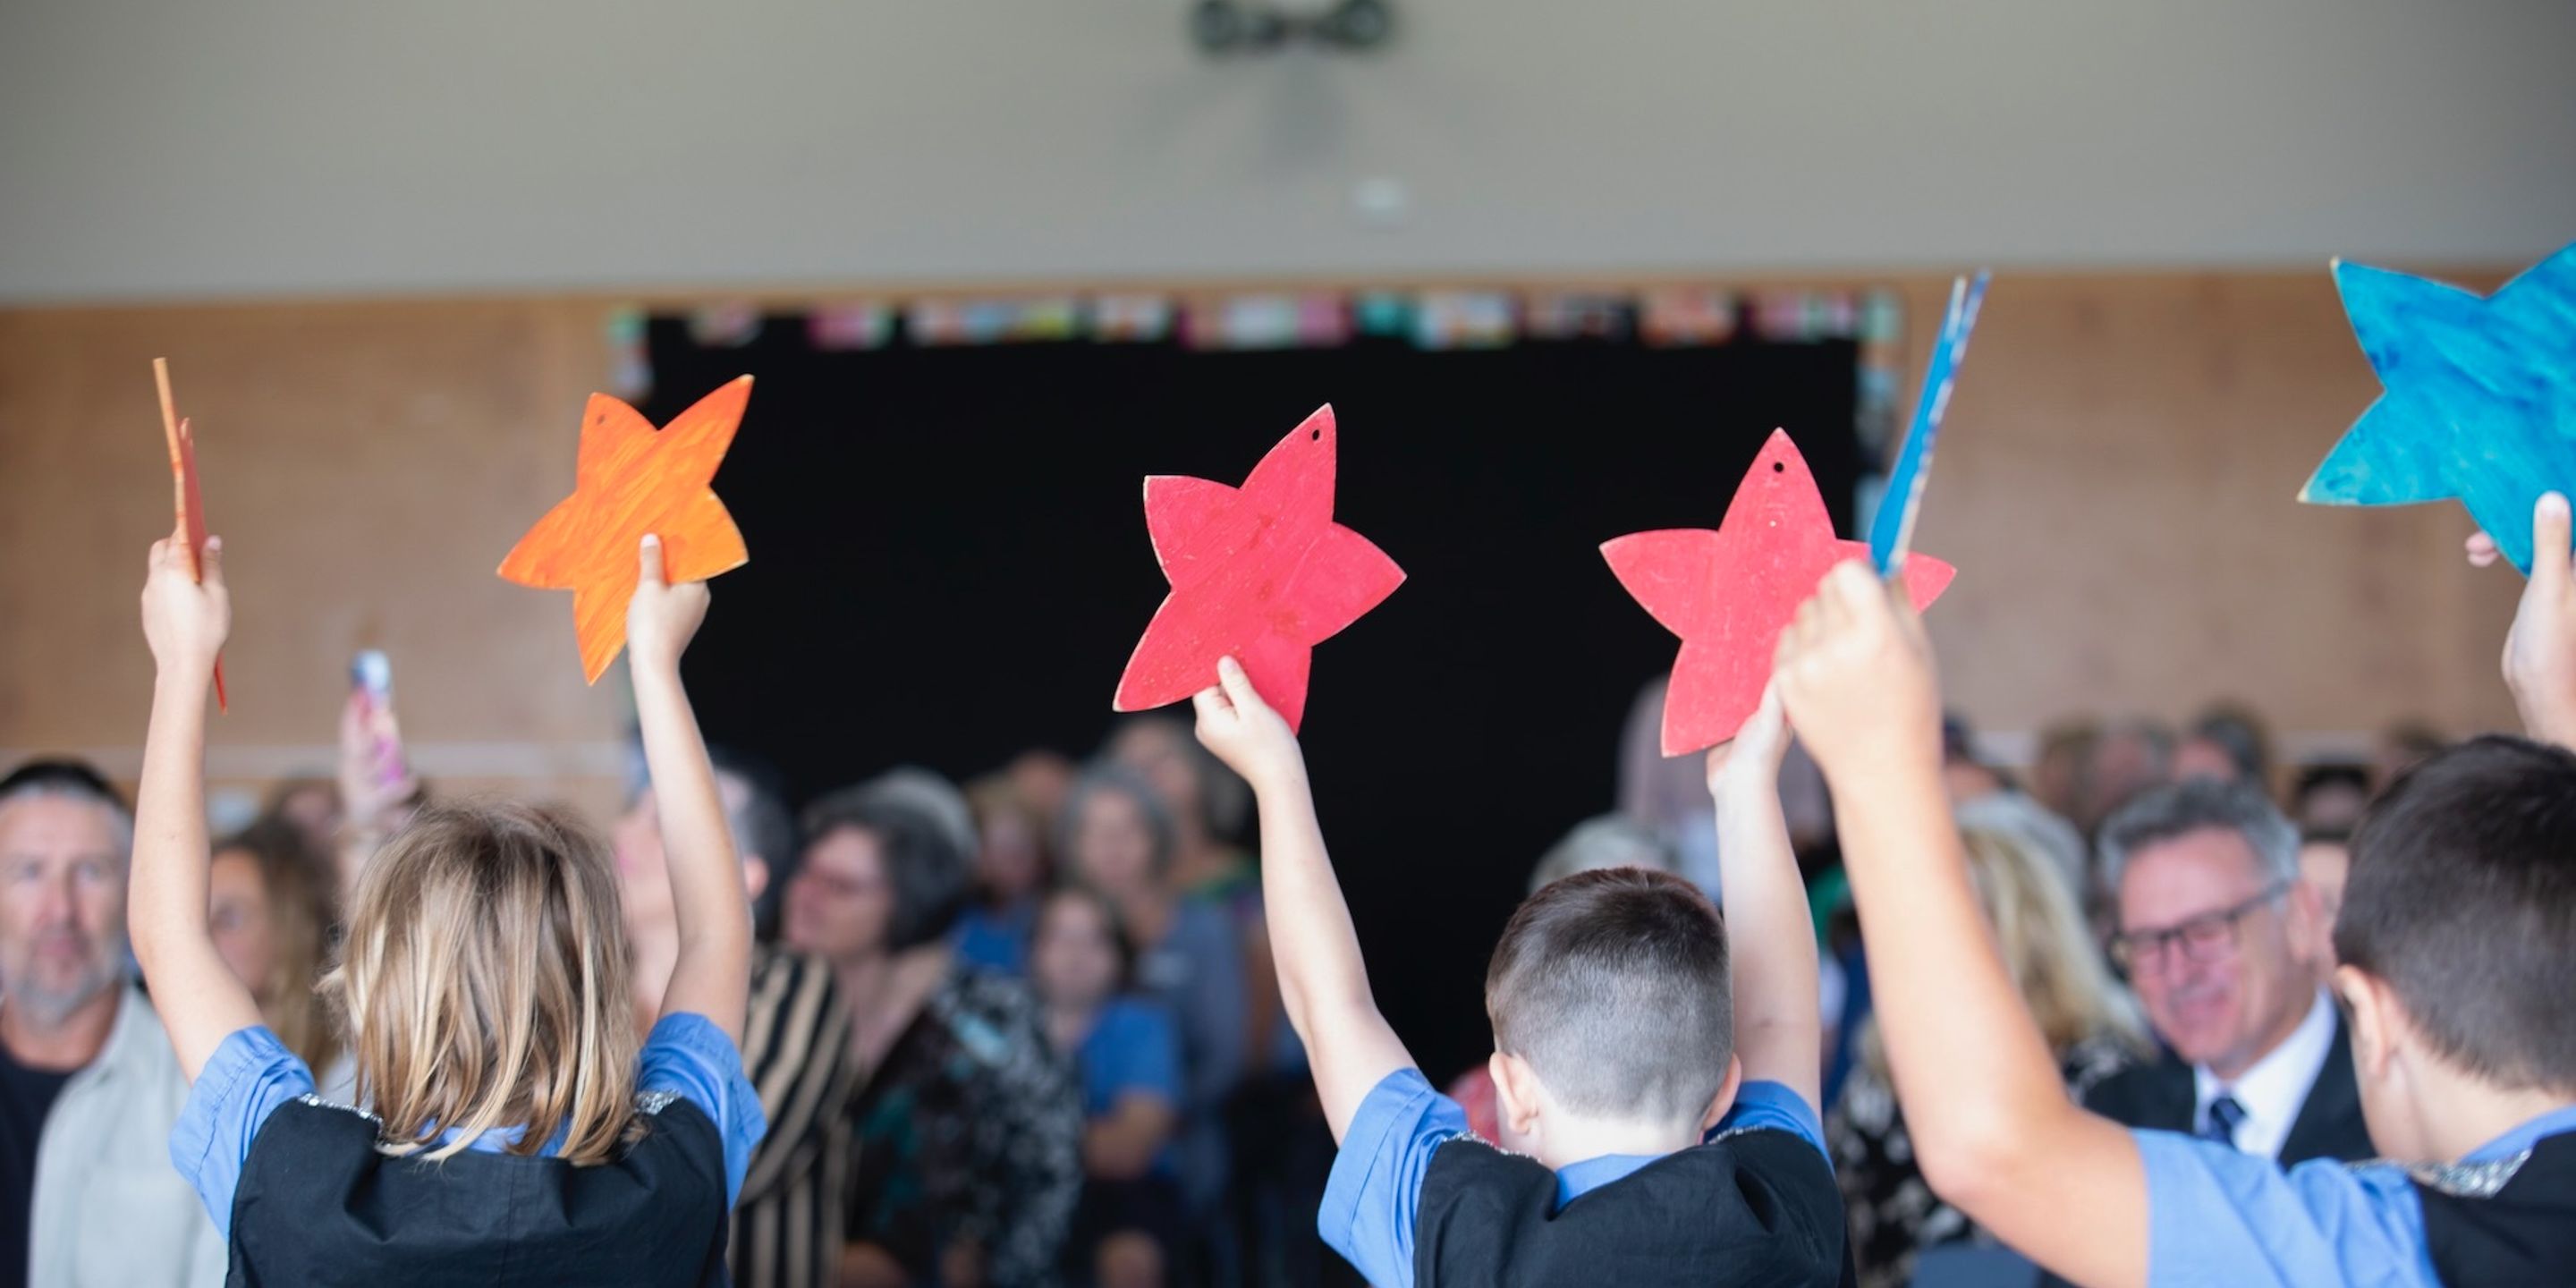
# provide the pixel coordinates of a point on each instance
(1377, 1181)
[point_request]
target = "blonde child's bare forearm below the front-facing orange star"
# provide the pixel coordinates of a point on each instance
(710, 898)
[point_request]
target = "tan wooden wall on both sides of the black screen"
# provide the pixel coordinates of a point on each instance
(2116, 488)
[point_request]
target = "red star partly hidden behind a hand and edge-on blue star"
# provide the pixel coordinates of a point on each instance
(1732, 591)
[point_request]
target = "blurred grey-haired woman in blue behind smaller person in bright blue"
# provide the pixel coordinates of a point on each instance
(1189, 957)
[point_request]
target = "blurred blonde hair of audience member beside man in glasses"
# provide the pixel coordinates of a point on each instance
(2044, 944)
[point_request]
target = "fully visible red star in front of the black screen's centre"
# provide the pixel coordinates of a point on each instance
(1261, 573)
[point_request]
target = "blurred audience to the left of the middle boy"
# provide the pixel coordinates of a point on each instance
(1003, 1037)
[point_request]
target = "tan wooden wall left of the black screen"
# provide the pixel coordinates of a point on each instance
(367, 468)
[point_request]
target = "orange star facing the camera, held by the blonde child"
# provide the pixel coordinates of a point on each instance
(635, 480)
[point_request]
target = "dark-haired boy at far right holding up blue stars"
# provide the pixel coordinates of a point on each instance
(2456, 954)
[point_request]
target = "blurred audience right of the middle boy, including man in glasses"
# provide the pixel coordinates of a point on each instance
(2165, 903)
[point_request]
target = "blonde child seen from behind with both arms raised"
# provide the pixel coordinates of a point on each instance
(514, 1130)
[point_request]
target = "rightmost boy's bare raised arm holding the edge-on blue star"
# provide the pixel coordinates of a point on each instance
(1982, 1094)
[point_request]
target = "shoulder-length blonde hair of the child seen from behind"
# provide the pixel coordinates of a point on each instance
(486, 985)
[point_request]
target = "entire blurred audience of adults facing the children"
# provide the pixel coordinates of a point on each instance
(1029, 1034)
